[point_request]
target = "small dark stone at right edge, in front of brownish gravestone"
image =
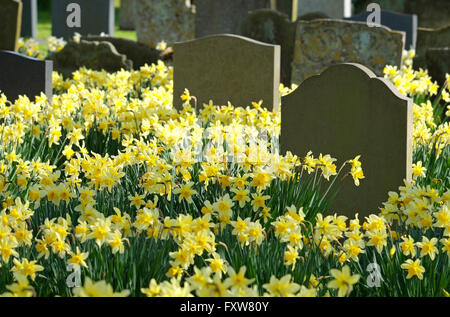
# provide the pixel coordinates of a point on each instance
(438, 63)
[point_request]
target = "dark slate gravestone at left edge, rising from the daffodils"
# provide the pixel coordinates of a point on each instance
(22, 75)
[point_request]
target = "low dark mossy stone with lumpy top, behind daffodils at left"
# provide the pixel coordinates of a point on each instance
(92, 55)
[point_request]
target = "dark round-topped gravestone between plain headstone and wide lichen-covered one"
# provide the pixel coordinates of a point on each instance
(273, 27)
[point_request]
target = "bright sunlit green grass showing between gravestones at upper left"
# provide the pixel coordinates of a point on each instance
(45, 27)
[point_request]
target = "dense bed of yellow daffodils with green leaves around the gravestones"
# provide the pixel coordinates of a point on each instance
(92, 191)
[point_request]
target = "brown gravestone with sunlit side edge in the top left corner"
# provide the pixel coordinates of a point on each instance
(10, 24)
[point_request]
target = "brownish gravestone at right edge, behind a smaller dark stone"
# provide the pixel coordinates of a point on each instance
(430, 38)
